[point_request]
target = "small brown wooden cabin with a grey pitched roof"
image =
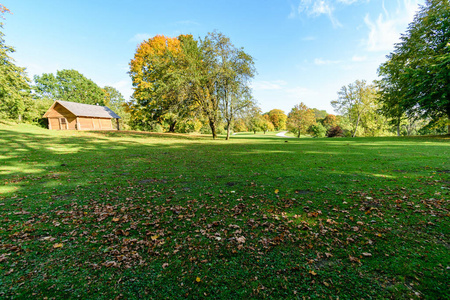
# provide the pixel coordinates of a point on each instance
(65, 115)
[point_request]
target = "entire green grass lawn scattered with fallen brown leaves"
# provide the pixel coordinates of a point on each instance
(105, 215)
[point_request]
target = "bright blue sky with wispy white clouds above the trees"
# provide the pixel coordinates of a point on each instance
(304, 50)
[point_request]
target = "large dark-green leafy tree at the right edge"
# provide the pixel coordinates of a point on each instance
(416, 76)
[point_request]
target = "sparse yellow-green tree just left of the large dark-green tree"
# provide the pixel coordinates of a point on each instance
(355, 100)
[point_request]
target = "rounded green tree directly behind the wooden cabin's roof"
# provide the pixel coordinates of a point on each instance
(69, 85)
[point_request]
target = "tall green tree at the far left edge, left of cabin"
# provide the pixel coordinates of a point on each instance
(15, 90)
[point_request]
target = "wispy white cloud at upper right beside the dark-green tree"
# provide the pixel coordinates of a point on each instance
(385, 31)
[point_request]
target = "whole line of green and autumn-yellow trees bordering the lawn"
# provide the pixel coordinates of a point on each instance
(183, 84)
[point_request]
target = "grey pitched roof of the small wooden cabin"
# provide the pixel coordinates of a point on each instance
(86, 110)
